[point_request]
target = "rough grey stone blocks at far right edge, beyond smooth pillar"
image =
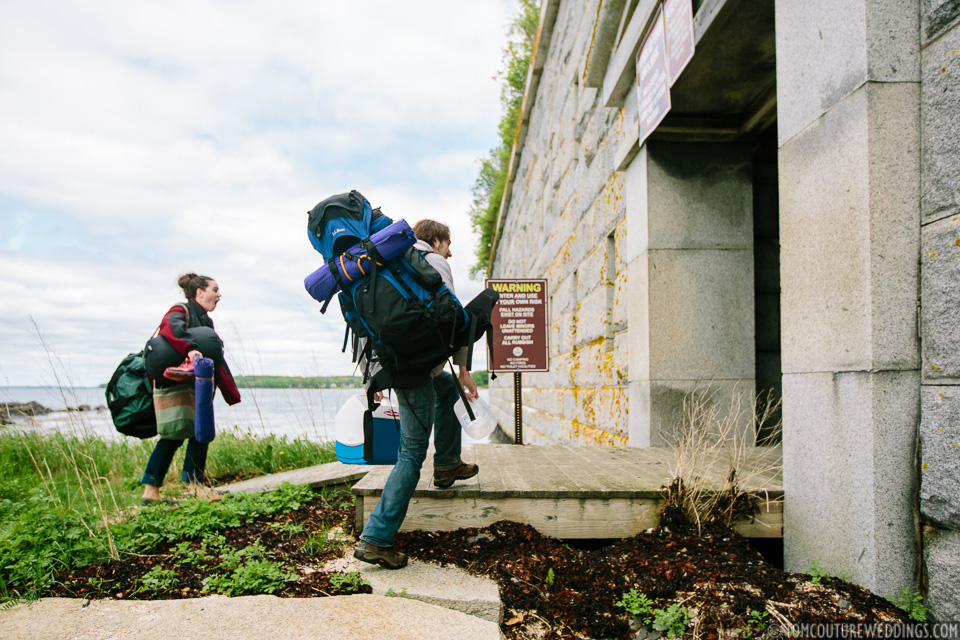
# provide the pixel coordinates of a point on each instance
(940, 307)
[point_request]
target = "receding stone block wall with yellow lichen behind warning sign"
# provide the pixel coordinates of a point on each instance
(567, 224)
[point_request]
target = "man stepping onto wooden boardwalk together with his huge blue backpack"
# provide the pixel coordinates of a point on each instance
(397, 297)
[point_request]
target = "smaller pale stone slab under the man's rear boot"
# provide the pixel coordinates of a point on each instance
(447, 587)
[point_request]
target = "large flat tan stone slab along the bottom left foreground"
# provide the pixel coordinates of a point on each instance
(358, 617)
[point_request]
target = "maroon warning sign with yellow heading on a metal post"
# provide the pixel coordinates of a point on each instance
(519, 322)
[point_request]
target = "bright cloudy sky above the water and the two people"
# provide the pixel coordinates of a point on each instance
(139, 141)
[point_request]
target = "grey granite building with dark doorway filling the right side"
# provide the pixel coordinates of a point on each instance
(791, 226)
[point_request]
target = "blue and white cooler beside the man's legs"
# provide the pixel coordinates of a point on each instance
(386, 431)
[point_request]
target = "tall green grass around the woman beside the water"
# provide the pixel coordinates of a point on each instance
(66, 495)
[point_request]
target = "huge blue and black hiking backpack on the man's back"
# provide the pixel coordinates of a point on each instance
(409, 320)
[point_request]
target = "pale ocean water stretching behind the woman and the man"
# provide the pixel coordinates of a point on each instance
(295, 413)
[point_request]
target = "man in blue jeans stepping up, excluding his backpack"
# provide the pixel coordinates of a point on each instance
(428, 405)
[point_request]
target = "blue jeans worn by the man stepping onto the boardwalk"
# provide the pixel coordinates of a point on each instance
(420, 408)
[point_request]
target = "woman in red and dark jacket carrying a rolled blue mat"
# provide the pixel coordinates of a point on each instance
(186, 333)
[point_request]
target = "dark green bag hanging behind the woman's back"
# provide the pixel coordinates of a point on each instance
(130, 398)
